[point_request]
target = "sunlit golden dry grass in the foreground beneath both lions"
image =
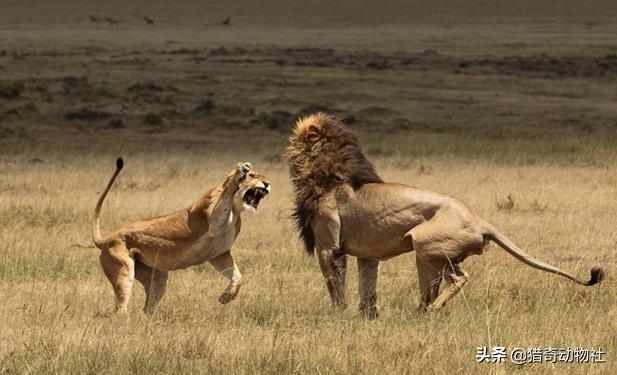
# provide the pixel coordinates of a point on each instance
(57, 305)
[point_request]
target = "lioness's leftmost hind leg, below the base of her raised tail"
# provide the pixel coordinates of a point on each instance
(119, 267)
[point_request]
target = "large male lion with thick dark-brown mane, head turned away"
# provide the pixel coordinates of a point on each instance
(342, 207)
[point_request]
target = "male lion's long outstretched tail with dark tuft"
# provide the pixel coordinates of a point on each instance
(597, 274)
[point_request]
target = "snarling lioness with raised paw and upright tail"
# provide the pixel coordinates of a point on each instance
(205, 231)
